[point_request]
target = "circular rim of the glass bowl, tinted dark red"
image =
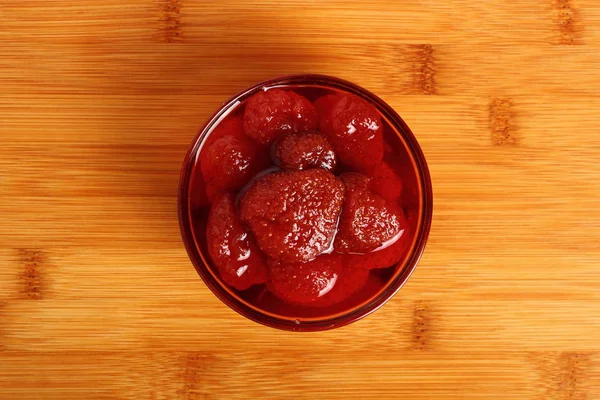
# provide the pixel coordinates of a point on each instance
(402, 273)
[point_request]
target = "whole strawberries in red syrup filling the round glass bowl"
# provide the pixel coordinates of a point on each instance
(303, 200)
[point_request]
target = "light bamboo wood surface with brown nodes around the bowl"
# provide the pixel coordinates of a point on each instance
(99, 101)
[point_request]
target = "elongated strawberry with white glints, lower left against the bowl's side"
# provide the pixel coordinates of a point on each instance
(231, 247)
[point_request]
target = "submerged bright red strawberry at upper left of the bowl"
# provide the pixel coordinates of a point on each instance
(229, 158)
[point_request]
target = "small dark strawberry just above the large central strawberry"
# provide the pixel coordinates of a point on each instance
(298, 151)
